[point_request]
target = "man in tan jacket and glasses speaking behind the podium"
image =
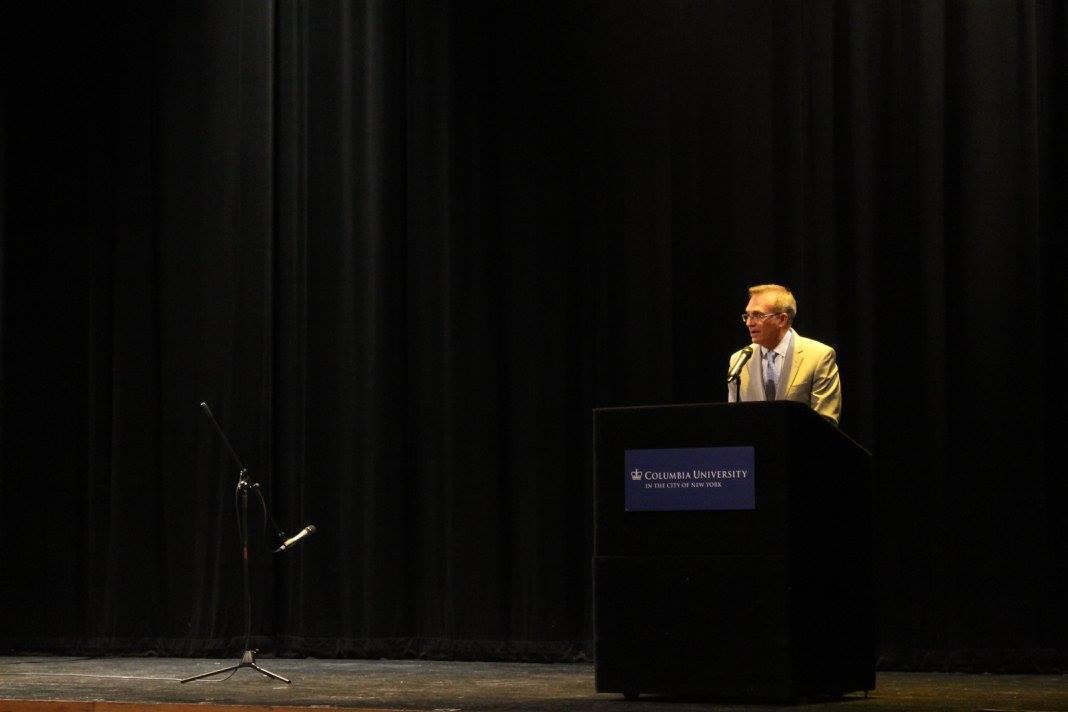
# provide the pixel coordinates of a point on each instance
(786, 366)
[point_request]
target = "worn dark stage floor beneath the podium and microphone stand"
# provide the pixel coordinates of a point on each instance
(114, 685)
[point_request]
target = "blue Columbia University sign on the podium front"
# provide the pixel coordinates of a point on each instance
(690, 479)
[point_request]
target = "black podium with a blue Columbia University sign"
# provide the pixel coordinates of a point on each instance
(759, 588)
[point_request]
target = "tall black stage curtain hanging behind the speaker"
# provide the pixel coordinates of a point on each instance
(403, 248)
